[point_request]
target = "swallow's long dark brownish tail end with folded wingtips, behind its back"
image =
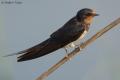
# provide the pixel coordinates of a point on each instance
(39, 50)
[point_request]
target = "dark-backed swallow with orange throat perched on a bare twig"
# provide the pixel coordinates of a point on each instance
(74, 29)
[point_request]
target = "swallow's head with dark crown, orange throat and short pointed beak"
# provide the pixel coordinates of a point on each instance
(86, 15)
